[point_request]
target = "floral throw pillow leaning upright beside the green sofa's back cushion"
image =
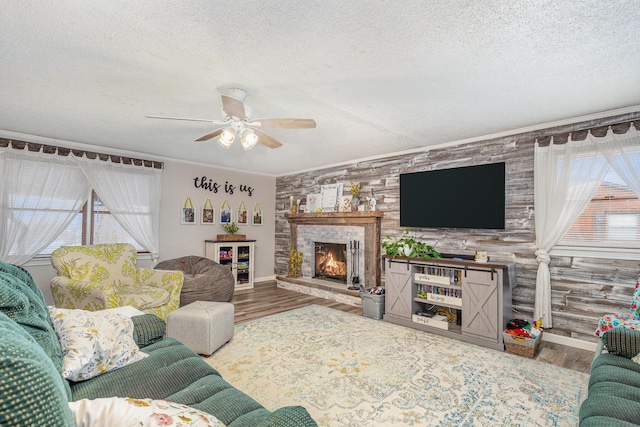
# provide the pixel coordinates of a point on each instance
(93, 342)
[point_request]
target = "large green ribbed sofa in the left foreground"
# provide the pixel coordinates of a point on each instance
(33, 391)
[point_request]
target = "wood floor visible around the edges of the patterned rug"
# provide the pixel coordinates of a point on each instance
(266, 298)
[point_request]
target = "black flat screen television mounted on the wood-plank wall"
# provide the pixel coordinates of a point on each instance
(465, 197)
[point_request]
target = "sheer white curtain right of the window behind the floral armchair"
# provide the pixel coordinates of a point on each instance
(132, 194)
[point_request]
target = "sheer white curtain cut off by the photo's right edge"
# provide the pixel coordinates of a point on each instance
(623, 154)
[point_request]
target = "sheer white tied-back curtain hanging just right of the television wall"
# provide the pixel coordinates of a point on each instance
(566, 178)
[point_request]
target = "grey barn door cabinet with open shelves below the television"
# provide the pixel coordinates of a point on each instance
(464, 300)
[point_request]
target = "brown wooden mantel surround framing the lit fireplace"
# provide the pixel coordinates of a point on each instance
(370, 220)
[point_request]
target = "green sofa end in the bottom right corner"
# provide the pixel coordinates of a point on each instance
(614, 384)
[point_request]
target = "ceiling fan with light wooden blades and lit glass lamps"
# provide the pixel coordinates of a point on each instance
(237, 123)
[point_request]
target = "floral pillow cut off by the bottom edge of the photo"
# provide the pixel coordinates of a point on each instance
(124, 411)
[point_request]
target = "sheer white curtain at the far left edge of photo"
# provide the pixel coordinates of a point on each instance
(40, 194)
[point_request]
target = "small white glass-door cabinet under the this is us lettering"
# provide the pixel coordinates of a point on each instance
(237, 256)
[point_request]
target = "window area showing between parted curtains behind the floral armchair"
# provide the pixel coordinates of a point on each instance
(93, 224)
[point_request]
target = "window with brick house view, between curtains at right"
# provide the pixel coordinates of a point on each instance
(610, 221)
